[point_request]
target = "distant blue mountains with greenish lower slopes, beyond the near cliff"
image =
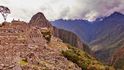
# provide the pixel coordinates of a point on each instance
(104, 35)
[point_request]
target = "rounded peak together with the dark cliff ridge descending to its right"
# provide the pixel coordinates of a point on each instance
(70, 38)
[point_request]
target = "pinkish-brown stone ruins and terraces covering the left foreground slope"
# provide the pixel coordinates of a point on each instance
(22, 47)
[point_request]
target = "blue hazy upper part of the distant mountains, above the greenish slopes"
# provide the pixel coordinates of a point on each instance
(86, 29)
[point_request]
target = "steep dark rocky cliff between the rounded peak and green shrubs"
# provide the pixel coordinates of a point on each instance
(71, 38)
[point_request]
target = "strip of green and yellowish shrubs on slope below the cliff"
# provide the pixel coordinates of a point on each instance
(84, 60)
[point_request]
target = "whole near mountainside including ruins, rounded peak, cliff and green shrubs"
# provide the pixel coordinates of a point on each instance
(38, 45)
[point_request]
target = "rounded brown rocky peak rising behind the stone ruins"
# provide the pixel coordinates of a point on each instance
(39, 20)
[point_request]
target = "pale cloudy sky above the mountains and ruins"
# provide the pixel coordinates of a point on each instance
(66, 9)
